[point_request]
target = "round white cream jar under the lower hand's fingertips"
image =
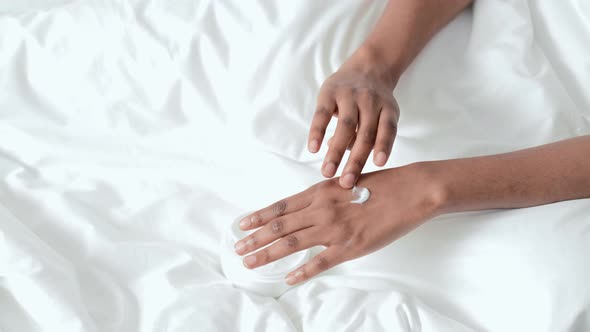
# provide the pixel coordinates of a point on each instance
(267, 280)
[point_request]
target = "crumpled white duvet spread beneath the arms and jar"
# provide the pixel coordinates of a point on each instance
(132, 133)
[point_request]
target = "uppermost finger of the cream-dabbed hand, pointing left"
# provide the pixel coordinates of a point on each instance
(283, 207)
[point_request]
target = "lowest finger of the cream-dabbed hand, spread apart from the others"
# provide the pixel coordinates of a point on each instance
(318, 264)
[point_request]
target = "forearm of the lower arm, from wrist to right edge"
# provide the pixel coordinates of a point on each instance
(541, 175)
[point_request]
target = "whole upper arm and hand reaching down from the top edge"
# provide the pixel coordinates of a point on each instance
(361, 91)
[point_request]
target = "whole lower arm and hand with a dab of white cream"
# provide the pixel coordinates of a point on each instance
(405, 197)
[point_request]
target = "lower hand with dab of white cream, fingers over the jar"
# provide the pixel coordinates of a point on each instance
(401, 199)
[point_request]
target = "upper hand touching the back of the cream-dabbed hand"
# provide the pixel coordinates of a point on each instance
(360, 95)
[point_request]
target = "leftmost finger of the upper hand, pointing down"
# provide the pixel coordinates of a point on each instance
(326, 106)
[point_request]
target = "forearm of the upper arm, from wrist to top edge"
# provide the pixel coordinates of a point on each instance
(402, 31)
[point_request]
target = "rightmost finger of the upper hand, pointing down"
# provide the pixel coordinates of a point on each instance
(386, 132)
